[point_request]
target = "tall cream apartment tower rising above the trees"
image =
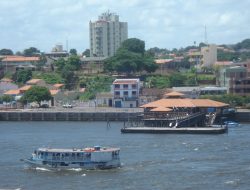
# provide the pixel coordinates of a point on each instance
(106, 35)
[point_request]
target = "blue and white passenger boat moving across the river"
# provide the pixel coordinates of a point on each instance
(86, 158)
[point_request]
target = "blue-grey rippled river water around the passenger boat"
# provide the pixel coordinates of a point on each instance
(150, 161)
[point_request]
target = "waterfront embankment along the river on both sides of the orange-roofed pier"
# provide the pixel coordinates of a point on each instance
(88, 114)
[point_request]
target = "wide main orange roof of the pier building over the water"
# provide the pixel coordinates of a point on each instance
(186, 102)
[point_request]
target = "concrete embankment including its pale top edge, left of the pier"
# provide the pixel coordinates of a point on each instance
(70, 115)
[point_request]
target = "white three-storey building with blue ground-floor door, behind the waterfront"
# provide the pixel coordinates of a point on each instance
(126, 93)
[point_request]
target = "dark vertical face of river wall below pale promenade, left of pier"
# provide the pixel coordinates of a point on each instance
(67, 116)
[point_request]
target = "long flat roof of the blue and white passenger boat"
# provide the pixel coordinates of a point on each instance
(71, 150)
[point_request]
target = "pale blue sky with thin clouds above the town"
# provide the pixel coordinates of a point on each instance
(160, 23)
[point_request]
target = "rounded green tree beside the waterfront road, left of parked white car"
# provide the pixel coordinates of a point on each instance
(36, 94)
